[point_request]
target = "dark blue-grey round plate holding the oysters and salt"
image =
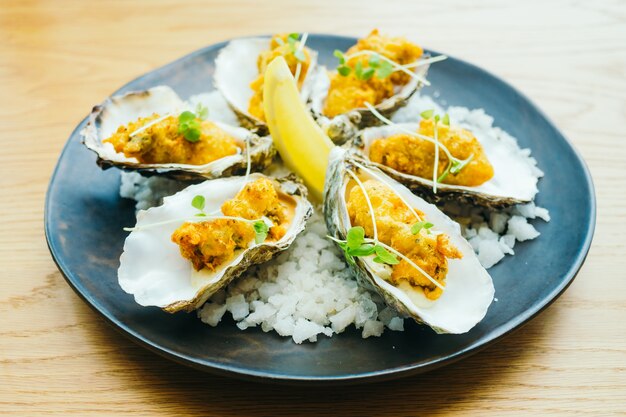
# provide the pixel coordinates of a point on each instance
(85, 215)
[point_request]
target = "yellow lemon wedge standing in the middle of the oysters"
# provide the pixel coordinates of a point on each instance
(301, 143)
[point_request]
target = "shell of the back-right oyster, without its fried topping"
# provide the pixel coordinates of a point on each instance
(345, 126)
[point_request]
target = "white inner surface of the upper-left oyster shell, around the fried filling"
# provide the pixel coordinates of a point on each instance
(121, 110)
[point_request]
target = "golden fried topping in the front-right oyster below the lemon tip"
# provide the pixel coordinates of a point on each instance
(393, 222)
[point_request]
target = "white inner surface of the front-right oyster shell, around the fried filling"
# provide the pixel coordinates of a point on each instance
(469, 288)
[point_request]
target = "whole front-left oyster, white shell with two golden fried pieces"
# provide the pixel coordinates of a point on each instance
(200, 239)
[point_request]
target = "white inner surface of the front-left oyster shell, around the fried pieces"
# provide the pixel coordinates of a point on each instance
(151, 266)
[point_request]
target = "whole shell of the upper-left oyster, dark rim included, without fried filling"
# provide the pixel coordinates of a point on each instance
(120, 110)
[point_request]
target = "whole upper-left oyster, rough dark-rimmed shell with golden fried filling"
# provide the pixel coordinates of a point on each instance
(142, 118)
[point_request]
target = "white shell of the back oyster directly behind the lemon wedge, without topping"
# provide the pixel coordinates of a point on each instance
(236, 67)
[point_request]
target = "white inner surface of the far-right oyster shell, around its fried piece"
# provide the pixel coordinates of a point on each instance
(514, 176)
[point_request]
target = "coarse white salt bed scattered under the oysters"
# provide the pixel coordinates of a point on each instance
(307, 291)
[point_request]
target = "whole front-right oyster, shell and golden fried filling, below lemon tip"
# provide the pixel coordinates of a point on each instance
(445, 287)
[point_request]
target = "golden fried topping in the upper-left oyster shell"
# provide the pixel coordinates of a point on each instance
(161, 142)
